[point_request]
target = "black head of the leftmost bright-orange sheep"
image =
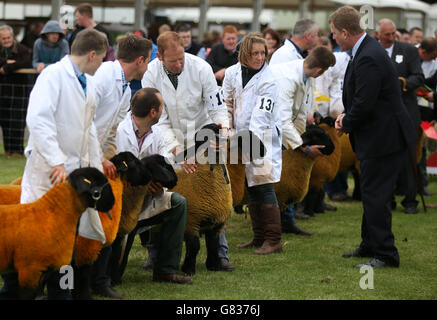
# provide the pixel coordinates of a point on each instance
(93, 186)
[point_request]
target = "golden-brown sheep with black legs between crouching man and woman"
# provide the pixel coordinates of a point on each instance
(209, 196)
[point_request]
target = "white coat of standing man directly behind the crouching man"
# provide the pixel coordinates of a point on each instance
(194, 104)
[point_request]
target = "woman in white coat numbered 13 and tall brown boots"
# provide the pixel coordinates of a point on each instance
(249, 90)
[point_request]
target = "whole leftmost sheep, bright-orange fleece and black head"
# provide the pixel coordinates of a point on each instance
(38, 237)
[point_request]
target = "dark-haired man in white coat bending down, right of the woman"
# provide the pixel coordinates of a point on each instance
(294, 81)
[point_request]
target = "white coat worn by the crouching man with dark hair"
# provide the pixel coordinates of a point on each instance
(154, 143)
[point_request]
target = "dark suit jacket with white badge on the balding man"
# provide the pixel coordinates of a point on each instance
(407, 62)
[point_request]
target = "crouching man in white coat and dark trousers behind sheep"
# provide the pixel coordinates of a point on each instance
(138, 134)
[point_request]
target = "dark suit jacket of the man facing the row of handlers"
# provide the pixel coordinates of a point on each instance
(376, 117)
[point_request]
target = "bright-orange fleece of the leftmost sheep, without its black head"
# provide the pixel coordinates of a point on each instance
(39, 235)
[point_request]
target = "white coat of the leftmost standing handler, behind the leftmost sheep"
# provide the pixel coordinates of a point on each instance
(61, 127)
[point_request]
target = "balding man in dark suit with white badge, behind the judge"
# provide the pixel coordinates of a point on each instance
(406, 60)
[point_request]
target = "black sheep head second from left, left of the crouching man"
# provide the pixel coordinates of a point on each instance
(131, 169)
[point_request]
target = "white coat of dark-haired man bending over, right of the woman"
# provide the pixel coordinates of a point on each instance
(292, 102)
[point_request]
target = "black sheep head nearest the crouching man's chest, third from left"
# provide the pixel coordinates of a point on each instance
(160, 170)
